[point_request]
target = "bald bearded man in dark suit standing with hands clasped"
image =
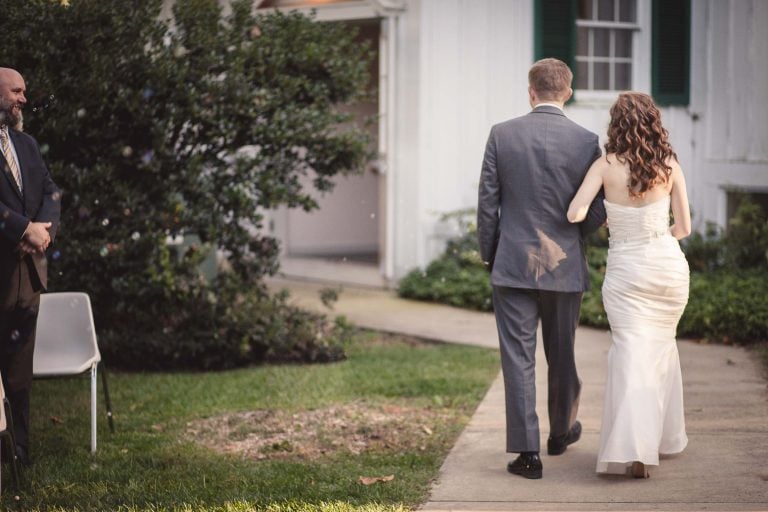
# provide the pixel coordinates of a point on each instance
(30, 204)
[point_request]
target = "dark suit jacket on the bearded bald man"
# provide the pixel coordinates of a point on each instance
(40, 202)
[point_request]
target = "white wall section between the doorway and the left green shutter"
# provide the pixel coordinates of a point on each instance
(464, 65)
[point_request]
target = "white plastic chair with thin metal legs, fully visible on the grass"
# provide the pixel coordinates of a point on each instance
(65, 345)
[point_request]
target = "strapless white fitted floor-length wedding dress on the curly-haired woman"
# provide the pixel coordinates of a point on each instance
(645, 292)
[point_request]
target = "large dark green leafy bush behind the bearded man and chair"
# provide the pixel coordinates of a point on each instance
(155, 133)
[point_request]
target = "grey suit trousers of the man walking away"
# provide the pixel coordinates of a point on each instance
(517, 317)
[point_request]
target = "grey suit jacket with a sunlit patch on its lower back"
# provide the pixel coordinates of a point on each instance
(532, 168)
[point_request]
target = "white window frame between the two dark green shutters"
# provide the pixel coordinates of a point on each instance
(640, 60)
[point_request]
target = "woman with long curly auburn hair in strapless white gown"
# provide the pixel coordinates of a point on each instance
(645, 289)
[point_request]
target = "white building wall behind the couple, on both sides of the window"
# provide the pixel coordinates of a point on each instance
(461, 66)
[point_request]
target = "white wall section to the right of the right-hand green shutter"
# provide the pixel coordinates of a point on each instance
(729, 84)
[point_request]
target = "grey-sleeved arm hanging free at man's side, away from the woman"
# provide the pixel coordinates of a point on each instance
(489, 199)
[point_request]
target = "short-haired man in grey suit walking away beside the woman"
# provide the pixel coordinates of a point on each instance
(532, 167)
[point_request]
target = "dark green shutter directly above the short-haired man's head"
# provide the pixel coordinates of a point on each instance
(554, 33)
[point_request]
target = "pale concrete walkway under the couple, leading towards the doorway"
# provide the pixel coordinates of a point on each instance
(724, 467)
